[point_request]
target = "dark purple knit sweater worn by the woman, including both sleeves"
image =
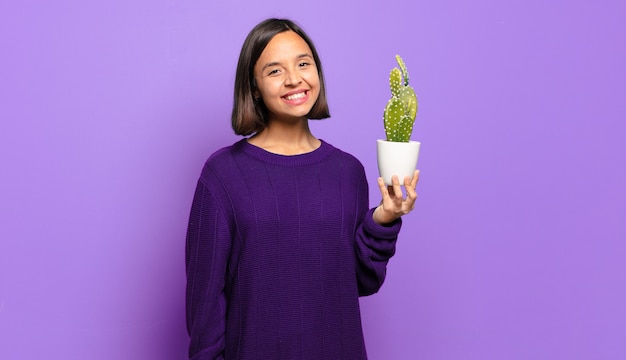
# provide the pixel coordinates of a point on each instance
(279, 249)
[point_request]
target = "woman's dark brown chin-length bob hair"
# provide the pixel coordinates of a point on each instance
(250, 115)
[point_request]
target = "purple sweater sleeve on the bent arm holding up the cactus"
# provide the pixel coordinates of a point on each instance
(375, 245)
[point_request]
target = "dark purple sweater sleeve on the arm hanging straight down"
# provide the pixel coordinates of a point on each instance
(206, 257)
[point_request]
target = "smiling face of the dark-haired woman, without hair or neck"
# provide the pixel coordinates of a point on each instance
(286, 77)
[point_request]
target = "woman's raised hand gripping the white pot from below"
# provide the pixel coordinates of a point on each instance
(393, 205)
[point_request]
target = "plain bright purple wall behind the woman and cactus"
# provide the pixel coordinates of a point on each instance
(517, 246)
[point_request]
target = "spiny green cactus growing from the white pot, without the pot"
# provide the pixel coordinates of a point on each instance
(401, 109)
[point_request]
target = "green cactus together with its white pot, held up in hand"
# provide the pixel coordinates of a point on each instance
(397, 155)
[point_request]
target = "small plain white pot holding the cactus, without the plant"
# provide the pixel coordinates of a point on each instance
(397, 158)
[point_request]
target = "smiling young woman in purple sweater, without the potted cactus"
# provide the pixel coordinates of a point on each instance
(281, 241)
